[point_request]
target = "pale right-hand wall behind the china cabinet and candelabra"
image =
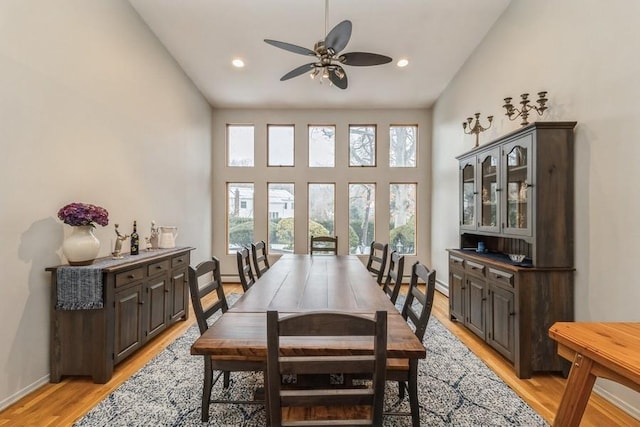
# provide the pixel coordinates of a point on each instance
(584, 52)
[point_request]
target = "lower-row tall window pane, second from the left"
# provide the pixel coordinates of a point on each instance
(281, 224)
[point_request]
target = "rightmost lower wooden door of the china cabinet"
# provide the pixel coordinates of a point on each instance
(501, 321)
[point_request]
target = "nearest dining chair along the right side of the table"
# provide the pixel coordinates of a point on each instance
(417, 311)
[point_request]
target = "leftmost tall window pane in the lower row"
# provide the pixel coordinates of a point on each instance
(240, 217)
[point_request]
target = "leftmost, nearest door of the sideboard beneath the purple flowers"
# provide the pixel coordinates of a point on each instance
(129, 305)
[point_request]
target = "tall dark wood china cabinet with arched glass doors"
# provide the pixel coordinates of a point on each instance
(516, 197)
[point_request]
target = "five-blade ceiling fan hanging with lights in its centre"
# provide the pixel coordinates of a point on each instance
(328, 61)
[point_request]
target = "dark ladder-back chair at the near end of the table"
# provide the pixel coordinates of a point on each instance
(359, 404)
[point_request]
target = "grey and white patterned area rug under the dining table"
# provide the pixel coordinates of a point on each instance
(455, 389)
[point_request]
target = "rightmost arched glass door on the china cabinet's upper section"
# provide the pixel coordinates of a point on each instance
(517, 197)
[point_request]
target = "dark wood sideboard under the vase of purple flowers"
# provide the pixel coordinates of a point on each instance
(141, 297)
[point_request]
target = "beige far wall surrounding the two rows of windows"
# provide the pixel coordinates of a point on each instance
(261, 174)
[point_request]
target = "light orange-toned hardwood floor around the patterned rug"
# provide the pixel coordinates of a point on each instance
(63, 403)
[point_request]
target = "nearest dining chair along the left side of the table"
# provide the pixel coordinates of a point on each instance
(204, 281)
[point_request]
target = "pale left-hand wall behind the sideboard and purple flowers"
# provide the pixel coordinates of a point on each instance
(93, 109)
